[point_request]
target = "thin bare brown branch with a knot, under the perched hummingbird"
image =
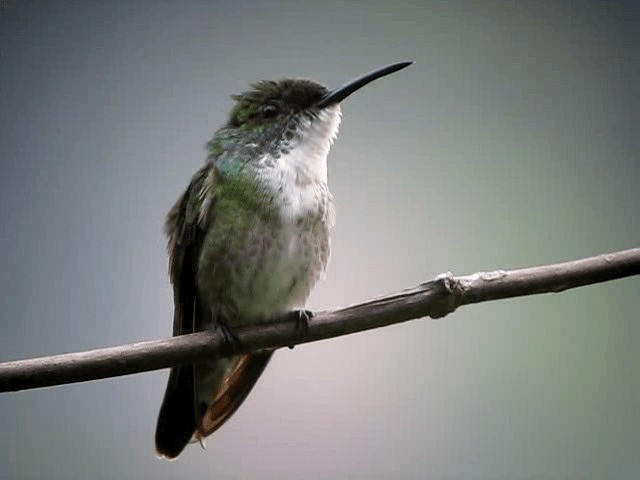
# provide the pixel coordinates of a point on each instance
(435, 298)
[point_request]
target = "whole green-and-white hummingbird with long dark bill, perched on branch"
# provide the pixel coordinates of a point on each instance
(248, 239)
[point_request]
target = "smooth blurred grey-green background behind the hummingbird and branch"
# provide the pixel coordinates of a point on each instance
(512, 141)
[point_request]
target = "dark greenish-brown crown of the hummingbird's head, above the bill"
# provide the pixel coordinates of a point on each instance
(269, 100)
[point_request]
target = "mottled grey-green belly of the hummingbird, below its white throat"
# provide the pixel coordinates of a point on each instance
(254, 266)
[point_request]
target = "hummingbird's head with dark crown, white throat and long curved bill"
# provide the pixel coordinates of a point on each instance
(290, 123)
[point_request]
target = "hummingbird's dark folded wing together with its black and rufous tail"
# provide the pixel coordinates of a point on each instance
(181, 418)
